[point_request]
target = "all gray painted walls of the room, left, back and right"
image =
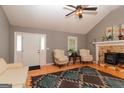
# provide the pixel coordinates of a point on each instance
(56, 39)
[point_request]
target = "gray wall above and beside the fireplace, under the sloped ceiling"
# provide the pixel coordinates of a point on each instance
(114, 18)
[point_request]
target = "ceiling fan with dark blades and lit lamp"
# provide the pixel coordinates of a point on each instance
(79, 9)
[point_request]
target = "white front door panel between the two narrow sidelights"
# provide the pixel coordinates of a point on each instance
(31, 49)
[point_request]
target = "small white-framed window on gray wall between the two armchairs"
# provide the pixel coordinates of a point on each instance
(72, 42)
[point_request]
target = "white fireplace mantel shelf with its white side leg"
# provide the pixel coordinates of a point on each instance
(106, 43)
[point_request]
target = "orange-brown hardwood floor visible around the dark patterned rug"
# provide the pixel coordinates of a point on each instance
(52, 68)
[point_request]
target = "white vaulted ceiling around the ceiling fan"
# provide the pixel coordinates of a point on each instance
(52, 17)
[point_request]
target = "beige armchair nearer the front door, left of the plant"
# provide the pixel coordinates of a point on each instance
(60, 58)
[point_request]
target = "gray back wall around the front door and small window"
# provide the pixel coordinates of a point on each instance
(55, 39)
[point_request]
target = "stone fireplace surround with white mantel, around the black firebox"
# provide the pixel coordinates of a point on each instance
(107, 46)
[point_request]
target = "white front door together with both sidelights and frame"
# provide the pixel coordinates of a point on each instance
(33, 50)
